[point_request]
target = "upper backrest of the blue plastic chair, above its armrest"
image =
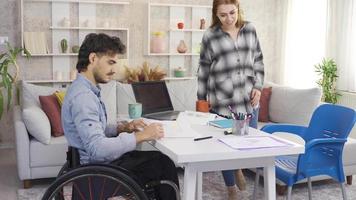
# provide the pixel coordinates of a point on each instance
(330, 121)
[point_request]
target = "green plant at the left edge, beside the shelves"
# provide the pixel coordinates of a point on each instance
(8, 60)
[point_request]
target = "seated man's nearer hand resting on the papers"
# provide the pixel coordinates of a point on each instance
(153, 131)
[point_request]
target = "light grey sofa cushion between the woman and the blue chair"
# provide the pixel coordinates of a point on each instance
(301, 102)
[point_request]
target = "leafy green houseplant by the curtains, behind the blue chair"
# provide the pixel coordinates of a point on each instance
(328, 70)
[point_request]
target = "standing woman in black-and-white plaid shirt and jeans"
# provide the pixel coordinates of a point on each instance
(231, 69)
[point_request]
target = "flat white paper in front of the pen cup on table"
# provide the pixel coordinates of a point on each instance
(253, 142)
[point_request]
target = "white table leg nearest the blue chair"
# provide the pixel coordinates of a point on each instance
(270, 182)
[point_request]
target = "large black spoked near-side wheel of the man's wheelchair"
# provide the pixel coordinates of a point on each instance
(95, 182)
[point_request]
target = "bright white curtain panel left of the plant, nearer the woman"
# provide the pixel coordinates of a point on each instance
(305, 42)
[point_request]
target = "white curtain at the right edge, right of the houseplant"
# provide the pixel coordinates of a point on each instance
(342, 41)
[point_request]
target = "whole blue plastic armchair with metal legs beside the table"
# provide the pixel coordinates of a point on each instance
(324, 139)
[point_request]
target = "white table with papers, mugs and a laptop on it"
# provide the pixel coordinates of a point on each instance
(211, 155)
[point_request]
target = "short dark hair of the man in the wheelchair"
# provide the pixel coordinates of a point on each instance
(101, 44)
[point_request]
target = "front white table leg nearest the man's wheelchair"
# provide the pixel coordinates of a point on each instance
(190, 183)
